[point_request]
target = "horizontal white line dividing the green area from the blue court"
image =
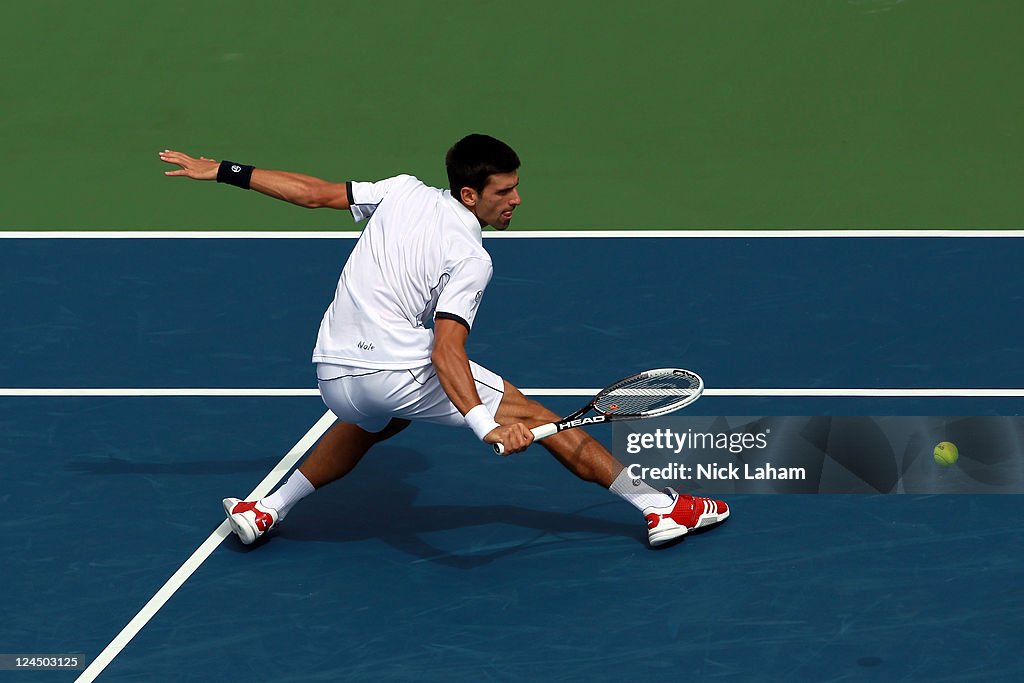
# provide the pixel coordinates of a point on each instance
(513, 235)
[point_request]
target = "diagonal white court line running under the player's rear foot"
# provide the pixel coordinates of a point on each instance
(201, 554)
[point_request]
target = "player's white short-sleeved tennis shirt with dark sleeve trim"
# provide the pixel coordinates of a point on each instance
(421, 255)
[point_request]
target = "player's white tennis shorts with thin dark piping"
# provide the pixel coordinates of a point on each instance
(371, 399)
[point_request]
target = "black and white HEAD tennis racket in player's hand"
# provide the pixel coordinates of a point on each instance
(647, 395)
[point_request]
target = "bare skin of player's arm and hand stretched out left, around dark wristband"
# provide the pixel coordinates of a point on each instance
(305, 191)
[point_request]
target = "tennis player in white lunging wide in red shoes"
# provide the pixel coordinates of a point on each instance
(392, 348)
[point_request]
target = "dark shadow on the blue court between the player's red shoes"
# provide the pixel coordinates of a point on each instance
(376, 502)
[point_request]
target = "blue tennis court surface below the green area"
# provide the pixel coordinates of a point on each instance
(438, 562)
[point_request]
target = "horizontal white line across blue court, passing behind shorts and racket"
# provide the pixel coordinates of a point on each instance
(278, 394)
